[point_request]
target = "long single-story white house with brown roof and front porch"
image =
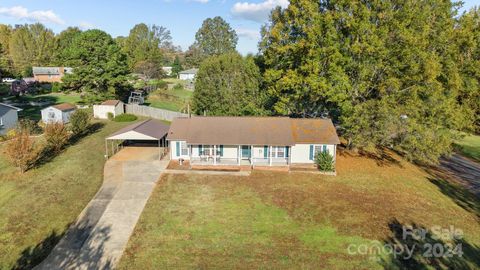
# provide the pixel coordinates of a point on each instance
(261, 141)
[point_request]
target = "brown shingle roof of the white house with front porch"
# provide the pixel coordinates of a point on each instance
(252, 130)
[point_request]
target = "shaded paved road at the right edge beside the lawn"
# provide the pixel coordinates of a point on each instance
(466, 171)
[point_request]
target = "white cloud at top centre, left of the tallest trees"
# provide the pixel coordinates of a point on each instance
(257, 12)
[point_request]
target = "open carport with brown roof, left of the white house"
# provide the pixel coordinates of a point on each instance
(146, 133)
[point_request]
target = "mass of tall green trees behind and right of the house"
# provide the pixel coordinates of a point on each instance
(397, 74)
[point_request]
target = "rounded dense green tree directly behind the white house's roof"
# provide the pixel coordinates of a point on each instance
(228, 84)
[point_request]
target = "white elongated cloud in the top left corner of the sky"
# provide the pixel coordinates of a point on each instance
(21, 13)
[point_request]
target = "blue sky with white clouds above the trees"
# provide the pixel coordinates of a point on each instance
(181, 17)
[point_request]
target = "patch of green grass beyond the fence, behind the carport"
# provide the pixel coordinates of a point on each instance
(172, 99)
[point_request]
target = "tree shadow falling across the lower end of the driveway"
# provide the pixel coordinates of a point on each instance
(70, 249)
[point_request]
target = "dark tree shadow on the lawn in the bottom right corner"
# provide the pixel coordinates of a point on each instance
(428, 250)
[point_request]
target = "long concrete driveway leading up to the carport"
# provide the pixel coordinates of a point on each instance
(99, 237)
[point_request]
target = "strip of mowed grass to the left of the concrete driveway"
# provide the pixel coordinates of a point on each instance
(36, 207)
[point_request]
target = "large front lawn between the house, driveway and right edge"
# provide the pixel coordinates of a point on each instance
(275, 220)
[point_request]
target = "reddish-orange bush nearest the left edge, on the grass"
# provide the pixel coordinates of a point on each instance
(22, 152)
